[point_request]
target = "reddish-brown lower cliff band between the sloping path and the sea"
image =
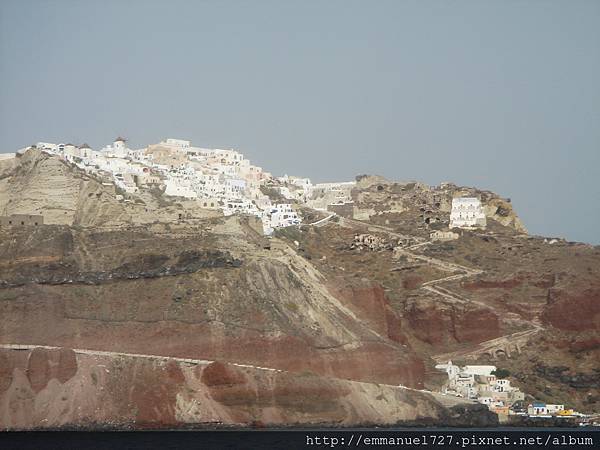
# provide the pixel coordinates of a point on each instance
(54, 388)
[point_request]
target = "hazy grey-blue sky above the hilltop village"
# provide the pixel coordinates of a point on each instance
(502, 95)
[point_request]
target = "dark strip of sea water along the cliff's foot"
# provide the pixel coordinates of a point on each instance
(311, 438)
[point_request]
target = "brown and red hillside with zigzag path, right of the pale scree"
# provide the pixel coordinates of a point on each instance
(527, 303)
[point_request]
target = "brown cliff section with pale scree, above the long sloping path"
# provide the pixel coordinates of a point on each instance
(97, 288)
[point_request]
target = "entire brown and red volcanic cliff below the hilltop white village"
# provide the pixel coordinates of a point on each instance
(149, 313)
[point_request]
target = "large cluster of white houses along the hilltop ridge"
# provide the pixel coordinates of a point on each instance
(216, 178)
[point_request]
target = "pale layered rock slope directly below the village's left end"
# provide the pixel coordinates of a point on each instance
(38, 183)
